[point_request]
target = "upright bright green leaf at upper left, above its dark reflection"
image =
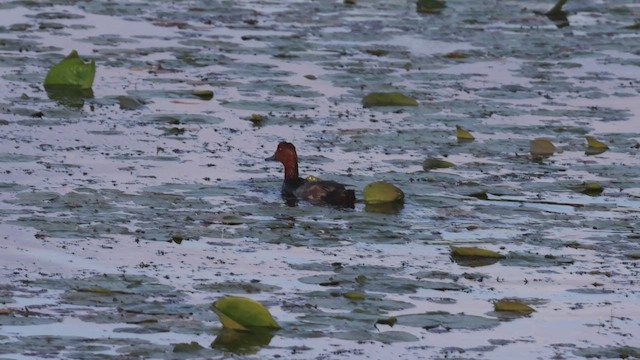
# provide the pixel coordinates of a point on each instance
(72, 72)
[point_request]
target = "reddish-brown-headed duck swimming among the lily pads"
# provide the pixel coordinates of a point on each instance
(313, 190)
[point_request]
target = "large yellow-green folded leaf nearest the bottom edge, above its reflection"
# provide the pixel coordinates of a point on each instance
(241, 313)
